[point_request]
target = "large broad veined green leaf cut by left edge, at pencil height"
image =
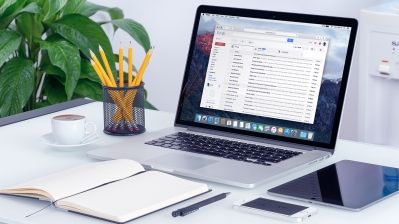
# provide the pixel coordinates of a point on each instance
(16, 85)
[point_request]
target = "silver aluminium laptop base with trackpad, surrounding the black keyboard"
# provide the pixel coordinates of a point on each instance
(216, 169)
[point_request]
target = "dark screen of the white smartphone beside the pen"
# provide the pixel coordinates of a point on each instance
(274, 206)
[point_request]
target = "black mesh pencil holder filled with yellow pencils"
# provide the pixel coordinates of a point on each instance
(124, 110)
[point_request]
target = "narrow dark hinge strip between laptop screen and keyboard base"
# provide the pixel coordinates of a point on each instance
(257, 139)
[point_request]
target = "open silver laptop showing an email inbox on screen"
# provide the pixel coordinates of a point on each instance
(262, 95)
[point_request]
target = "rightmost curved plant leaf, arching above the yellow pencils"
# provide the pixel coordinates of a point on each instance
(135, 30)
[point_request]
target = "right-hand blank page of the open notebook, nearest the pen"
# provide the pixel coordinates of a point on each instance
(133, 197)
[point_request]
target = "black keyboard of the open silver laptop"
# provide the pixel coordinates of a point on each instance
(240, 151)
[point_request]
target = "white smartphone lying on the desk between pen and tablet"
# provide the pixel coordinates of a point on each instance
(275, 209)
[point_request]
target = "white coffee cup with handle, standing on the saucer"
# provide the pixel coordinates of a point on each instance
(72, 129)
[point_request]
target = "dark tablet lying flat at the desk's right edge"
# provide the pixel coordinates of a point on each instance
(345, 184)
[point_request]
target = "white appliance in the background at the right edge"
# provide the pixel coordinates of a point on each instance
(379, 74)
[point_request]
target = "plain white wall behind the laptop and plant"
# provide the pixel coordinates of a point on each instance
(169, 24)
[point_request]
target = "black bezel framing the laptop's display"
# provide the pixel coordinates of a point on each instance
(281, 16)
